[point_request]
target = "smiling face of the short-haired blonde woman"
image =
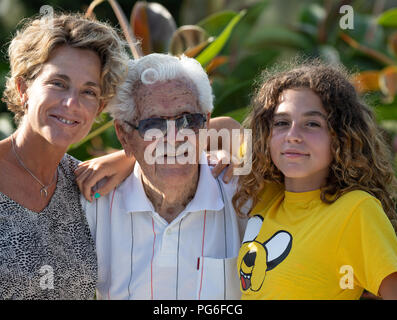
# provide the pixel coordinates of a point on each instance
(63, 99)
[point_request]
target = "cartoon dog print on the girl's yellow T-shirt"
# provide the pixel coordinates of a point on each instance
(261, 255)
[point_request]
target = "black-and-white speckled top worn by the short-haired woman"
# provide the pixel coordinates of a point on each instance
(51, 254)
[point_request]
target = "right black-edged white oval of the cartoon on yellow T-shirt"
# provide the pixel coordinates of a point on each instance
(278, 248)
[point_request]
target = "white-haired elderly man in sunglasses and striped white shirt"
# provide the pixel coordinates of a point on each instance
(169, 231)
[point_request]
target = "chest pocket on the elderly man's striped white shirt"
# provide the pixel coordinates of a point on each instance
(217, 279)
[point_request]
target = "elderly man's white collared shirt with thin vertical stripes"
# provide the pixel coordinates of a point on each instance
(141, 256)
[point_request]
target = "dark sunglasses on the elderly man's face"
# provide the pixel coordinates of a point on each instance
(192, 121)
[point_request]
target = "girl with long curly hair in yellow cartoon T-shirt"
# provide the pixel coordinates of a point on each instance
(321, 192)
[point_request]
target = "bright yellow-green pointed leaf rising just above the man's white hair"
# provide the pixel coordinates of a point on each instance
(215, 47)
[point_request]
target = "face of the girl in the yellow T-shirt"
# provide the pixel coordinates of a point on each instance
(300, 140)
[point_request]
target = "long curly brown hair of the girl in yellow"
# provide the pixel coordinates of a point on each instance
(361, 159)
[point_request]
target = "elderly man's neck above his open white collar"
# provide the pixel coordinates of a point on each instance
(170, 202)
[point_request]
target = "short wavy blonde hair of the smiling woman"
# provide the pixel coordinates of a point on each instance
(33, 44)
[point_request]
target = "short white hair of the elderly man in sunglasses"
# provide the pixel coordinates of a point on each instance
(160, 67)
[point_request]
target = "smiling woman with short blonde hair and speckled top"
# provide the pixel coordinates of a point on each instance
(63, 71)
